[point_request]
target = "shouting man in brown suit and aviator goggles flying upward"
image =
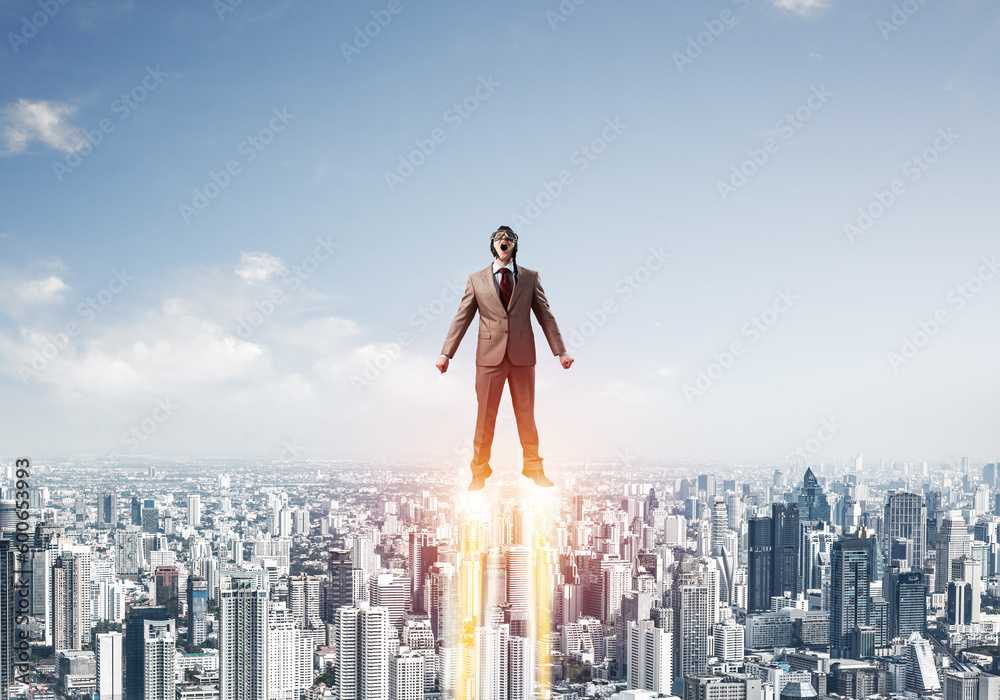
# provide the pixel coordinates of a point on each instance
(505, 294)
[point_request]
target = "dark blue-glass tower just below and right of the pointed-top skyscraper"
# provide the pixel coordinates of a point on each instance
(849, 593)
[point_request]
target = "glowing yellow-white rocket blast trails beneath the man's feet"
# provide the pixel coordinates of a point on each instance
(508, 570)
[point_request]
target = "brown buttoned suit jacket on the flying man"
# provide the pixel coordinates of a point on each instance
(504, 330)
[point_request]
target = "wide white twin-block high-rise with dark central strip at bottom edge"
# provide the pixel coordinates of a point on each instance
(362, 643)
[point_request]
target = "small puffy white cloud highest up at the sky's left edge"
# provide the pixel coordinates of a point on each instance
(25, 121)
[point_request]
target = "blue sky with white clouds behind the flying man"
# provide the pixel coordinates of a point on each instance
(249, 162)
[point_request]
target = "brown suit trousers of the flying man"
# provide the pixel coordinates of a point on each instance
(489, 389)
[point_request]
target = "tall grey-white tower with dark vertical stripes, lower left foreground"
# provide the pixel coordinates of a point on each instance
(243, 636)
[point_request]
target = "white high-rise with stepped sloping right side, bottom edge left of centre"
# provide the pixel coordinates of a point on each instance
(289, 655)
